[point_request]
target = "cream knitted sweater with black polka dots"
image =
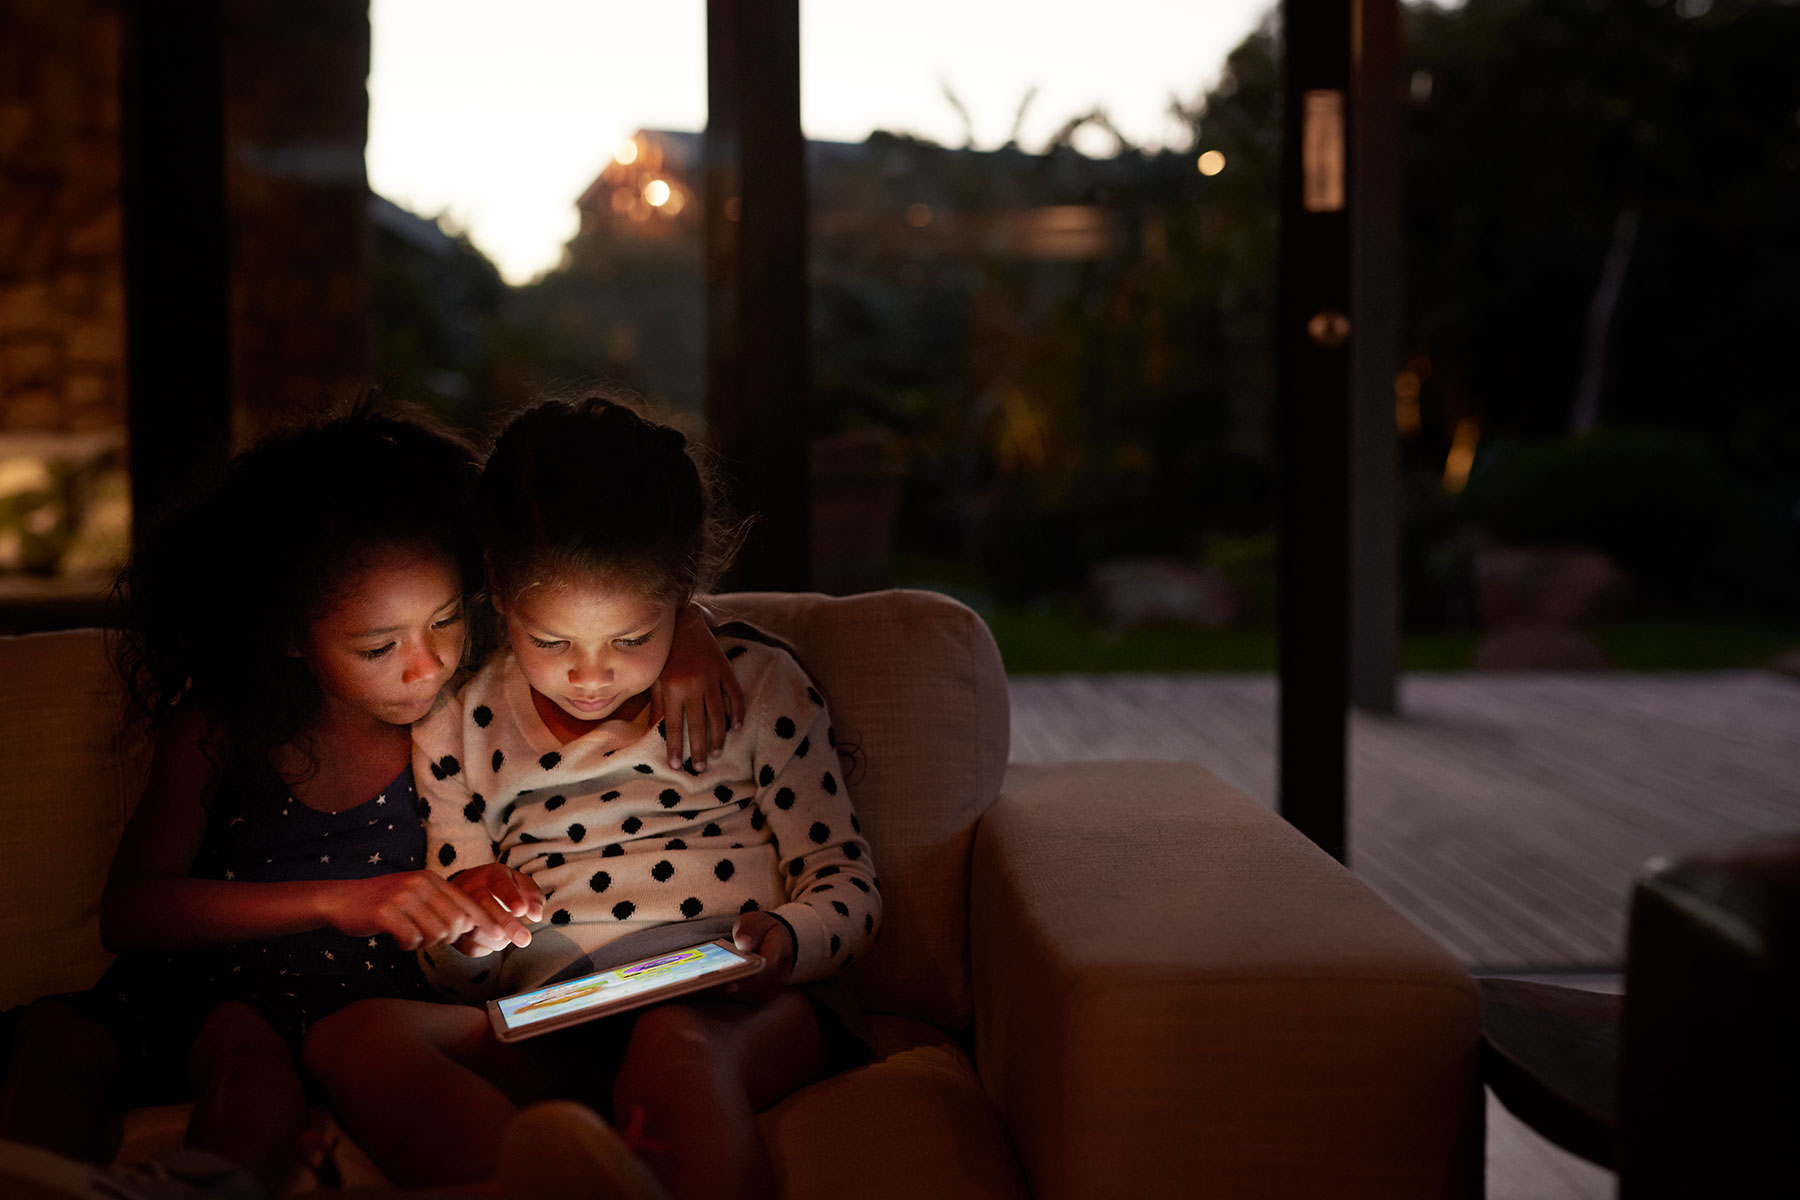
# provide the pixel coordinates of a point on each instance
(622, 843)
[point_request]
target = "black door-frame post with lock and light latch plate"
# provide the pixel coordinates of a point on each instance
(1313, 390)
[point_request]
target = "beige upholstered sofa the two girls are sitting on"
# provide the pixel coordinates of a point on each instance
(1102, 980)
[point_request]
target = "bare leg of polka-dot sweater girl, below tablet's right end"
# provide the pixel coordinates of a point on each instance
(694, 1080)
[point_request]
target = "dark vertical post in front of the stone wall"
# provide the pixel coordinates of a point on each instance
(177, 276)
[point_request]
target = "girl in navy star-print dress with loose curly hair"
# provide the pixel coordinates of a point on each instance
(282, 636)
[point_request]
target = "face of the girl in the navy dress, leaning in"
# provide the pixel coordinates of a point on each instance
(393, 640)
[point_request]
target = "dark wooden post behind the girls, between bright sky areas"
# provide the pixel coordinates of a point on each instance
(759, 355)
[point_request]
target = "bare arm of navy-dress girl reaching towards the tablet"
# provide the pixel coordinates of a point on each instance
(152, 904)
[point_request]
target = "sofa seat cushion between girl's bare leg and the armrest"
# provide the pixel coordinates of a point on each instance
(913, 1124)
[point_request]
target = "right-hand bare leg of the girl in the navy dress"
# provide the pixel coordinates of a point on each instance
(249, 1100)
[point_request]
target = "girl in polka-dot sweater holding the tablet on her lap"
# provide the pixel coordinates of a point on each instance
(543, 780)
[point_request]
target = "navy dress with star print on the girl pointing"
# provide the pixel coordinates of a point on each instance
(258, 834)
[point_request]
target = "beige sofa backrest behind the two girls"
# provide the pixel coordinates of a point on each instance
(913, 679)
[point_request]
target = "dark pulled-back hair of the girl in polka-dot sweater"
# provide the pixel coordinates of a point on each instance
(591, 488)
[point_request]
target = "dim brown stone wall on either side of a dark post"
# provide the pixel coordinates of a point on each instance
(296, 188)
